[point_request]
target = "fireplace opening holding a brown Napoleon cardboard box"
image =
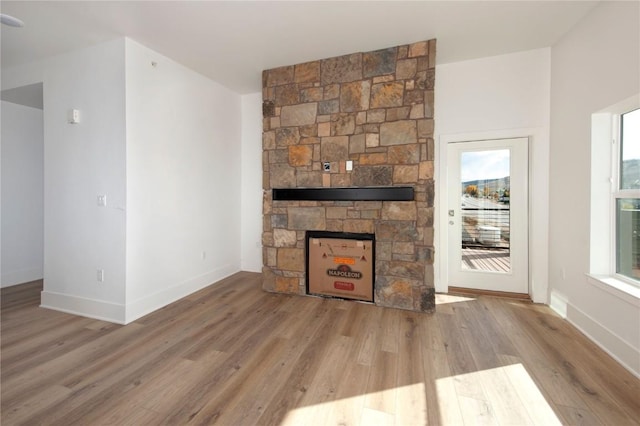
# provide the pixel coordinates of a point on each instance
(340, 265)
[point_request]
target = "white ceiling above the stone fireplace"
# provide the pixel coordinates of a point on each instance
(231, 42)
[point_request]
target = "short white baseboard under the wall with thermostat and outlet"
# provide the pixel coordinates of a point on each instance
(98, 309)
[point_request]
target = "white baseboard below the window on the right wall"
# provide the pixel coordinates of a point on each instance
(607, 340)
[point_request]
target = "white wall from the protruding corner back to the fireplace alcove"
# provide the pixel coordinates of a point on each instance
(183, 181)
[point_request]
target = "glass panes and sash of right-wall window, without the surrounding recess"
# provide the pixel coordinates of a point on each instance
(626, 196)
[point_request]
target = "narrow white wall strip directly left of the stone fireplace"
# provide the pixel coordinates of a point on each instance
(251, 217)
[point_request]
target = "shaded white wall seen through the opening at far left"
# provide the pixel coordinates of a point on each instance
(22, 146)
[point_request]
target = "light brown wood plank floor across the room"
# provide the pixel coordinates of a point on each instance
(232, 354)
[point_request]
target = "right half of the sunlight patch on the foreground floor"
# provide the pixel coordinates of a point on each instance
(503, 395)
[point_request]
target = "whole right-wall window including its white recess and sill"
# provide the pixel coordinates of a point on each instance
(615, 197)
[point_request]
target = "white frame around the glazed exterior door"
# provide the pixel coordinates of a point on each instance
(538, 206)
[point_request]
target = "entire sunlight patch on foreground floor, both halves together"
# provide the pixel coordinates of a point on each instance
(503, 395)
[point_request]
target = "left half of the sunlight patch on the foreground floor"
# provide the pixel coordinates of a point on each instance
(399, 405)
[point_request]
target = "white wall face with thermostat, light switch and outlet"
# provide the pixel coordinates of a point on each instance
(81, 161)
